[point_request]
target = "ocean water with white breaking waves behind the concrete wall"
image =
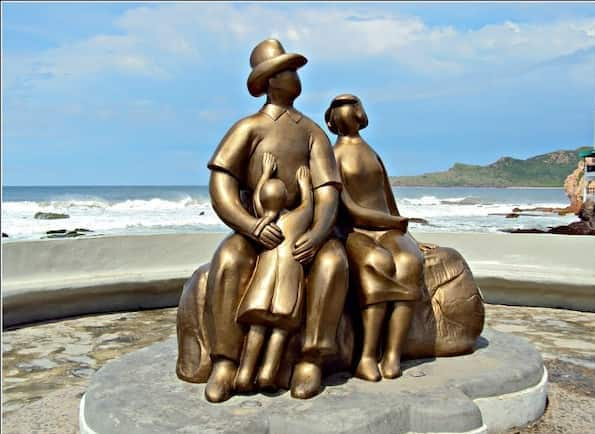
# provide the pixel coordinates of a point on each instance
(167, 209)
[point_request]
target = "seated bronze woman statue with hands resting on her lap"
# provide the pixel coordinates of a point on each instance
(385, 261)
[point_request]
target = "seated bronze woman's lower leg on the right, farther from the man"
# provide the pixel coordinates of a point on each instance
(398, 327)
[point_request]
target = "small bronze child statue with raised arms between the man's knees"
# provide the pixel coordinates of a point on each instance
(274, 297)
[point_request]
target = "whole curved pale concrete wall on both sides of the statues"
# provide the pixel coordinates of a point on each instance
(49, 279)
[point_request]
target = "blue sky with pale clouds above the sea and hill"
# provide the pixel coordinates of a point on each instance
(141, 94)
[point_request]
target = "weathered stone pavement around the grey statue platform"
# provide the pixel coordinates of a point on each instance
(46, 367)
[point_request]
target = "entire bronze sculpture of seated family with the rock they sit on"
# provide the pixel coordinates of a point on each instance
(272, 309)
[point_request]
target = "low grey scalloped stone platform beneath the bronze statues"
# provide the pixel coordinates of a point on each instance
(502, 385)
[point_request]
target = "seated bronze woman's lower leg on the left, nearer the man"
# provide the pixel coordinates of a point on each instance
(373, 318)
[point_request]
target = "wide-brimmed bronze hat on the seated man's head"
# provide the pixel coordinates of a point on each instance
(267, 59)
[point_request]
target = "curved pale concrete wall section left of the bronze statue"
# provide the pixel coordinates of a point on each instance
(51, 279)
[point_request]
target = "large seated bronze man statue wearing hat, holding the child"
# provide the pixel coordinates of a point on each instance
(295, 141)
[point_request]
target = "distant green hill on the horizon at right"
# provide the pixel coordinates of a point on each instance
(547, 170)
